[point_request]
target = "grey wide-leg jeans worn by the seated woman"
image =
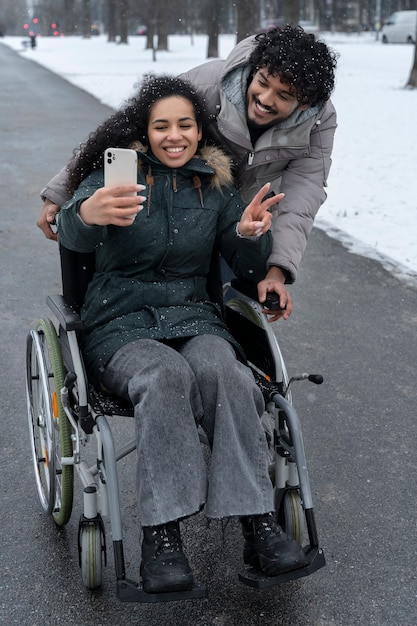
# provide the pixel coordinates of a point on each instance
(199, 382)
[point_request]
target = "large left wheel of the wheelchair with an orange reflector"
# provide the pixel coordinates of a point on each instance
(50, 430)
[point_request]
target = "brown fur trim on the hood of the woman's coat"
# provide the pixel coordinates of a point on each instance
(208, 160)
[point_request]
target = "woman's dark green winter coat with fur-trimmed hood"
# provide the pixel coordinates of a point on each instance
(150, 279)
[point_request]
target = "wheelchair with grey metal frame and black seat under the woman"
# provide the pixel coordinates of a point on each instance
(66, 415)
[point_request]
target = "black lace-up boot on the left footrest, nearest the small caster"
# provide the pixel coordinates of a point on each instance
(164, 566)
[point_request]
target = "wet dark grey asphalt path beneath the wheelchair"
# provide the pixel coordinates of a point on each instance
(353, 322)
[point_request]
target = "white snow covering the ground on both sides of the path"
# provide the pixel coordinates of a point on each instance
(372, 188)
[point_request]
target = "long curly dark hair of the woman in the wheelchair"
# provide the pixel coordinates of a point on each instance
(130, 124)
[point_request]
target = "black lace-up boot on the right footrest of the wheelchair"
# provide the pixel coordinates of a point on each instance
(268, 548)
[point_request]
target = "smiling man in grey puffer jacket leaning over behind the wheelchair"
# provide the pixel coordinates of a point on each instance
(270, 108)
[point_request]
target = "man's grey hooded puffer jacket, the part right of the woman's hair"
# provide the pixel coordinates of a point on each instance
(294, 155)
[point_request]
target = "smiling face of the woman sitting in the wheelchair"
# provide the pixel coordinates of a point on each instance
(173, 132)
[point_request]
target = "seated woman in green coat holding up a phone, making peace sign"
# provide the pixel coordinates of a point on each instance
(152, 335)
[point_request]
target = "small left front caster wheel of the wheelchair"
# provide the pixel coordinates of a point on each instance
(91, 555)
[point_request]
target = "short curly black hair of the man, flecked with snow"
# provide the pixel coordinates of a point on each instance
(299, 59)
